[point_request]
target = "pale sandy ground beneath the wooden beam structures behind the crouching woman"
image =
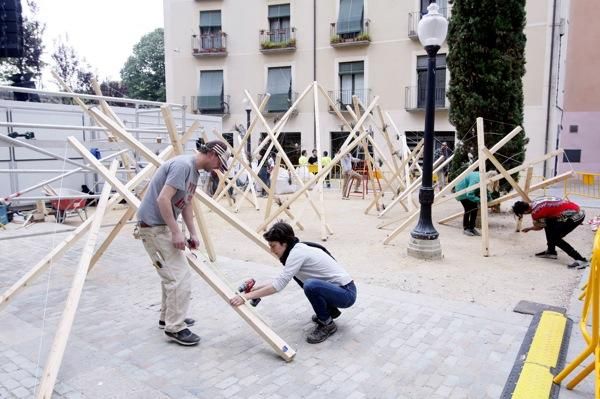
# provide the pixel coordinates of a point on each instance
(510, 274)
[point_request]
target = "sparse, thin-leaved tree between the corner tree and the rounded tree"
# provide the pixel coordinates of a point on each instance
(75, 72)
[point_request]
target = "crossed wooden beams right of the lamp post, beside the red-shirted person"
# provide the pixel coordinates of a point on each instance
(488, 154)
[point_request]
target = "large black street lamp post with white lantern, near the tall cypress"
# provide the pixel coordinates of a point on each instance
(424, 239)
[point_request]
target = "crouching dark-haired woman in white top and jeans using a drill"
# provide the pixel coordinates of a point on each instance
(325, 282)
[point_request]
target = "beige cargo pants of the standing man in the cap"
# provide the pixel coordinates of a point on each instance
(174, 272)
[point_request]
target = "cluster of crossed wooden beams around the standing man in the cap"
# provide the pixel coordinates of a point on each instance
(91, 255)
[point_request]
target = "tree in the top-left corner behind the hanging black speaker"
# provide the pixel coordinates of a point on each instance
(29, 66)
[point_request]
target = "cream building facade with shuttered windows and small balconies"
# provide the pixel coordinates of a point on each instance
(216, 49)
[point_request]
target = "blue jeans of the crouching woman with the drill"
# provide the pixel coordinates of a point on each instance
(323, 295)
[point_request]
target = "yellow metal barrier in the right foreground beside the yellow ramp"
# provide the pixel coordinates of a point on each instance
(591, 308)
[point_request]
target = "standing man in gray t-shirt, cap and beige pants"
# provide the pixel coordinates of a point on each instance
(169, 195)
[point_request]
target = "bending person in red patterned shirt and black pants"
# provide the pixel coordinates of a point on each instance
(558, 217)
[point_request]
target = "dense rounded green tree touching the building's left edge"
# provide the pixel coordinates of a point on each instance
(144, 71)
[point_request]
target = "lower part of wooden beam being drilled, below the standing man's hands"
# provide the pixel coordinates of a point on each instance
(285, 351)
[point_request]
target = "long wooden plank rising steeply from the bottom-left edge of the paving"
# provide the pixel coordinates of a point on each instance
(63, 331)
